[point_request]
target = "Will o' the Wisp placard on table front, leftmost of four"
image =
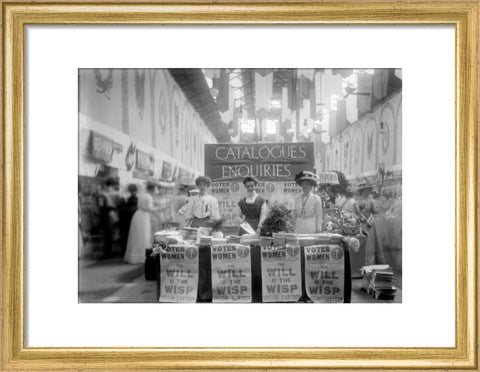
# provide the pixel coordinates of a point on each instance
(178, 273)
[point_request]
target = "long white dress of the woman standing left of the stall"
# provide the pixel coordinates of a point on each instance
(140, 234)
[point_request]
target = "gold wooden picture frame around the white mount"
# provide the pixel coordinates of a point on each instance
(463, 15)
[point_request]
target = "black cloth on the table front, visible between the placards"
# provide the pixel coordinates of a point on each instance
(204, 292)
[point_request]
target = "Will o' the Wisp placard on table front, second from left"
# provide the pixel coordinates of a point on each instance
(231, 273)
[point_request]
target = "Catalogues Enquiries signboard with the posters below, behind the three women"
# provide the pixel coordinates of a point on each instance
(273, 164)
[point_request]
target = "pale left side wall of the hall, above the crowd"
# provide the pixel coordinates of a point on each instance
(147, 116)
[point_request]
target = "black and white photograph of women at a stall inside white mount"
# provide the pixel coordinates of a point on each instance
(240, 185)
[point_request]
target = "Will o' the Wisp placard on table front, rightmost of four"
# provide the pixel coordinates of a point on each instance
(324, 273)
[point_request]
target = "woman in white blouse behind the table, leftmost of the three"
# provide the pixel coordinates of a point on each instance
(202, 208)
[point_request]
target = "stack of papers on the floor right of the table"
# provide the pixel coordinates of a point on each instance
(378, 281)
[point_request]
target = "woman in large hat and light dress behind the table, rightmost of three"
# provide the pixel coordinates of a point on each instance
(308, 212)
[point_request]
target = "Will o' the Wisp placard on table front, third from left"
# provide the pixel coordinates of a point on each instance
(281, 273)
